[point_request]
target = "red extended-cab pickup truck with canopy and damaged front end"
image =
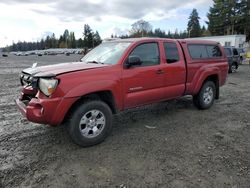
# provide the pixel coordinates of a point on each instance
(118, 75)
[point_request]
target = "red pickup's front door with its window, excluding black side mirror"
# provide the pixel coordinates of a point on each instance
(143, 83)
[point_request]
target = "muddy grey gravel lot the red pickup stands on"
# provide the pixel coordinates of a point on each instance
(170, 144)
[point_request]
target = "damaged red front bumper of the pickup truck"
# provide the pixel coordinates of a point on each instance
(45, 111)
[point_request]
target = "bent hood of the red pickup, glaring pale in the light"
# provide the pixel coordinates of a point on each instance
(53, 70)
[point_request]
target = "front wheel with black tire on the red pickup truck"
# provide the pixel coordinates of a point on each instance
(74, 127)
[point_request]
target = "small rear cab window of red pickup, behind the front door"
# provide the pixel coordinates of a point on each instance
(171, 52)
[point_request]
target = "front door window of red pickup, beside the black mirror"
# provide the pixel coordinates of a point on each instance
(148, 53)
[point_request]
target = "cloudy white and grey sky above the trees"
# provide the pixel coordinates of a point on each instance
(30, 20)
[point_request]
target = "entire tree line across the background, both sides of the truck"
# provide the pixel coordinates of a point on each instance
(225, 17)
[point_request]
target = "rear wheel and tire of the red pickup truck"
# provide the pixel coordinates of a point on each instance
(204, 102)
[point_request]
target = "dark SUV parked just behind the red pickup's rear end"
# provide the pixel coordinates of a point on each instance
(233, 58)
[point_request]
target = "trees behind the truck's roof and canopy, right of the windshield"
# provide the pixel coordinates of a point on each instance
(225, 17)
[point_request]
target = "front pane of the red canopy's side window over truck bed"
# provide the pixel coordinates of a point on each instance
(197, 51)
